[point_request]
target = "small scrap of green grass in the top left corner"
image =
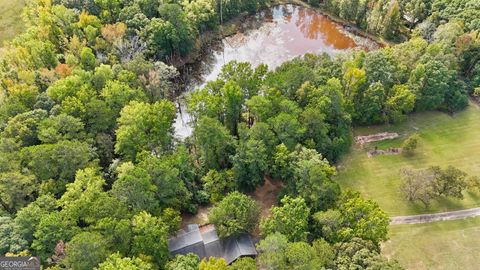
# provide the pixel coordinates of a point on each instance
(11, 22)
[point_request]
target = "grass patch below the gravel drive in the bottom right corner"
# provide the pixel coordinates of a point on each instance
(439, 245)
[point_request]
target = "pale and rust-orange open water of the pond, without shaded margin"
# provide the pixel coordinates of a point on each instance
(275, 35)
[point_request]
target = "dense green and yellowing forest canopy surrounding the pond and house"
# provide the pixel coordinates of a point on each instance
(93, 176)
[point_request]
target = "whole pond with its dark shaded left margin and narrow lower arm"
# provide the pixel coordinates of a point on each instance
(271, 36)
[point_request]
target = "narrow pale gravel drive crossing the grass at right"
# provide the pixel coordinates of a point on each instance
(472, 212)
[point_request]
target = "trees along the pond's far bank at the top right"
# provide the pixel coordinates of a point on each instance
(392, 19)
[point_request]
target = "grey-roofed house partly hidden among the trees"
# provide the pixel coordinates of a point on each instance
(205, 243)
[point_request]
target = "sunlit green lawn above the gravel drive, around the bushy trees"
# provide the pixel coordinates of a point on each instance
(444, 140)
